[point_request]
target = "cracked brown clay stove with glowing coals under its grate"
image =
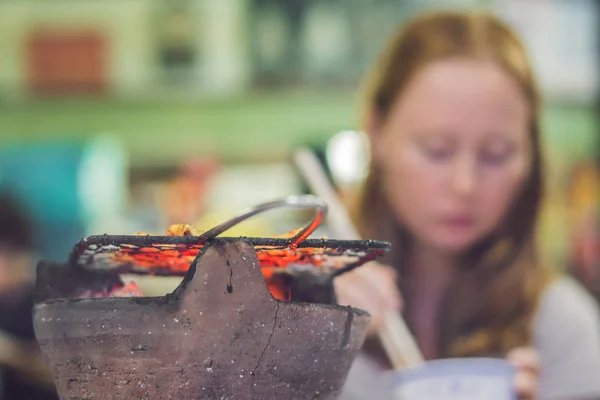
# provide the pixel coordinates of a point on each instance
(220, 335)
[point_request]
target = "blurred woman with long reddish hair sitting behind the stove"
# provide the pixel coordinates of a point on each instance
(455, 185)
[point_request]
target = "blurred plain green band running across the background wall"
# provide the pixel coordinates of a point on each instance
(251, 128)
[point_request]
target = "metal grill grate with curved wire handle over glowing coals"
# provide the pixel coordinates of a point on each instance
(173, 255)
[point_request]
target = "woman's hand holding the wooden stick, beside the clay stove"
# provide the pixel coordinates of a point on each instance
(372, 288)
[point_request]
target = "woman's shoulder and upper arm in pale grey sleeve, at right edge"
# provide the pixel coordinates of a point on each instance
(567, 336)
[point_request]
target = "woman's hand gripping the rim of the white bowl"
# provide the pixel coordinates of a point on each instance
(527, 380)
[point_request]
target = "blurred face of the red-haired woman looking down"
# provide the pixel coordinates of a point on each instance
(454, 151)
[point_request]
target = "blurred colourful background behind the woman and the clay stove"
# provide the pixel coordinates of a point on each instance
(121, 116)
